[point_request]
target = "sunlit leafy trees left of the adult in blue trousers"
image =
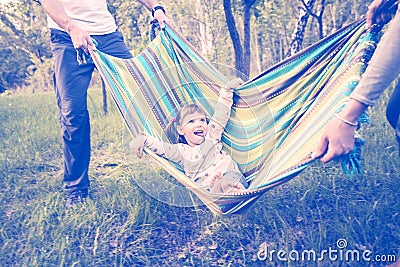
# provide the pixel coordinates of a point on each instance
(25, 34)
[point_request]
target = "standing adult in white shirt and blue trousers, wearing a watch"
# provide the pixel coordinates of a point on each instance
(73, 24)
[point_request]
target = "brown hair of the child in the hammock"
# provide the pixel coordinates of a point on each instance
(171, 131)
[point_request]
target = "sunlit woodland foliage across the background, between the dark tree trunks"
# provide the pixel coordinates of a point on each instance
(202, 23)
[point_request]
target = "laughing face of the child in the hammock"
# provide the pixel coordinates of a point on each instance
(194, 128)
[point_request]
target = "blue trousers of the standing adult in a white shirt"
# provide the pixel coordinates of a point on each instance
(71, 82)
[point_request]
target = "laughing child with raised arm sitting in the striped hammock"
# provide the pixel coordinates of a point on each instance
(196, 146)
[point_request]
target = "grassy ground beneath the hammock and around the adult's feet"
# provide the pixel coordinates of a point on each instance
(122, 225)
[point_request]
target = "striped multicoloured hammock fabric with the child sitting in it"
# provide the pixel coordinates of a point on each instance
(277, 117)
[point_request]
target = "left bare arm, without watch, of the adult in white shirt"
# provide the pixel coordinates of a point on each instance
(80, 38)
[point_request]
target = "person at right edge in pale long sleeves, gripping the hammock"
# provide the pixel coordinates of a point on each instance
(384, 67)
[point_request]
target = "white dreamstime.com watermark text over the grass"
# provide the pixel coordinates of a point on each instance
(339, 253)
